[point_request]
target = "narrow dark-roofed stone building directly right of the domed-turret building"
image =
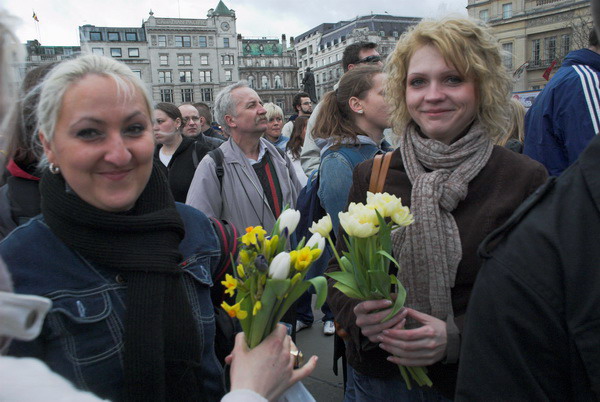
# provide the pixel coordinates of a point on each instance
(270, 68)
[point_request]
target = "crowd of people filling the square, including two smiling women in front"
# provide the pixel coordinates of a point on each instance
(111, 207)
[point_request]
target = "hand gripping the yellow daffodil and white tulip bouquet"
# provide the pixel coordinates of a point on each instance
(268, 369)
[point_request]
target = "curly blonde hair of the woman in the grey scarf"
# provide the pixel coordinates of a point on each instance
(470, 47)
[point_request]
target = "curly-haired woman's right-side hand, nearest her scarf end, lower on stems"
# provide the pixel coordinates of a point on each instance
(421, 346)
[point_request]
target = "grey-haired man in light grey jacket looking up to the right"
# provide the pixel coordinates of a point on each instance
(258, 181)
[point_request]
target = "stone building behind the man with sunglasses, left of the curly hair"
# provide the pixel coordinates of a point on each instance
(321, 48)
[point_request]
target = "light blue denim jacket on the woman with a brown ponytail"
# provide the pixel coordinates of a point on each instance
(336, 175)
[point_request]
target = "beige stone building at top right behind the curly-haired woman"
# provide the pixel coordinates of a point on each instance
(534, 33)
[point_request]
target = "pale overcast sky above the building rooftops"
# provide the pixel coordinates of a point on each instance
(60, 19)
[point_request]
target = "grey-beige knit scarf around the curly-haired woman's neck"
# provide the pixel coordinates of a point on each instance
(430, 250)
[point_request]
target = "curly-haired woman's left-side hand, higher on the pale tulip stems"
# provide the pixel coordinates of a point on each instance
(368, 318)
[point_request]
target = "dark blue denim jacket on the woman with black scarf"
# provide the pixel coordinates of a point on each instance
(82, 337)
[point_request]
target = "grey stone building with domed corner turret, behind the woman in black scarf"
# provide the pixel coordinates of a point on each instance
(179, 59)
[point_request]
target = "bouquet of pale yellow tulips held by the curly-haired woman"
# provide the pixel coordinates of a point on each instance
(364, 268)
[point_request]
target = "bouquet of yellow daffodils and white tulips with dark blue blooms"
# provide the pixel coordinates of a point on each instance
(268, 279)
